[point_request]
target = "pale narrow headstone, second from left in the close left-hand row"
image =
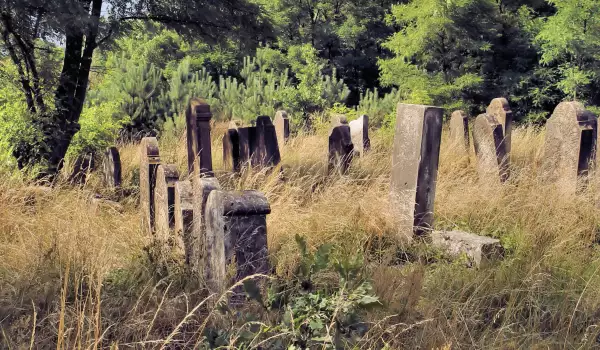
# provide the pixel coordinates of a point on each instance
(164, 200)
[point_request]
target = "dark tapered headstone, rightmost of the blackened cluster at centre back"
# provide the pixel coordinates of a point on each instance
(266, 150)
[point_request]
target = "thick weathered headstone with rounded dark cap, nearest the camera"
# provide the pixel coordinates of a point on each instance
(236, 230)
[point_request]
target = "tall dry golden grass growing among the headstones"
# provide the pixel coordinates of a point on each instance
(74, 274)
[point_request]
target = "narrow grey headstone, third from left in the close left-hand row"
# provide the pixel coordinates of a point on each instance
(184, 217)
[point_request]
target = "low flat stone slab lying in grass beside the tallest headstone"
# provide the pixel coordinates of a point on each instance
(478, 249)
